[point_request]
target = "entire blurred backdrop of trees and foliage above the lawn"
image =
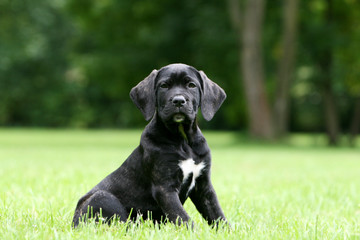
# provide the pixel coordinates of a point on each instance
(287, 66)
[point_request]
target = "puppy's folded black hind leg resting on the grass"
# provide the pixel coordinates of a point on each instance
(92, 204)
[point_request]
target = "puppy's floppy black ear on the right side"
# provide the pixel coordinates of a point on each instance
(212, 97)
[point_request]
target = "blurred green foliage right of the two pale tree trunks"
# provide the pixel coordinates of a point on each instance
(323, 37)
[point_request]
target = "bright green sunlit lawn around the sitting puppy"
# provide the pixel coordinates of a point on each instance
(299, 190)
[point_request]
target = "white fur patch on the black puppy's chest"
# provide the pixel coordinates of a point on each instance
(190, 171)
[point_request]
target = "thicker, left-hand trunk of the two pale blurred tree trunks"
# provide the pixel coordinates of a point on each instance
(260, 119)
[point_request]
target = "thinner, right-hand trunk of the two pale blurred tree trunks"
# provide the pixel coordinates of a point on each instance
(286, 67)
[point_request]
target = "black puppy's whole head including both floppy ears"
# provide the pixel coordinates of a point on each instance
(176, 92)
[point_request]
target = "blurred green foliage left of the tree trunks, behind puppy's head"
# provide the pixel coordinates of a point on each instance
(73, 63)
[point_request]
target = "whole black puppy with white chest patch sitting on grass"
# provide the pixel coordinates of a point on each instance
(173, 159)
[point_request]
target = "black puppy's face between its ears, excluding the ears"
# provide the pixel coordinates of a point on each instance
(178, 93)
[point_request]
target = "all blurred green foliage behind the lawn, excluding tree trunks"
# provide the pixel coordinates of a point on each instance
(72, 63)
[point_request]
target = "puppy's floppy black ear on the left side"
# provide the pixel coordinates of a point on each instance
(143, 95)
